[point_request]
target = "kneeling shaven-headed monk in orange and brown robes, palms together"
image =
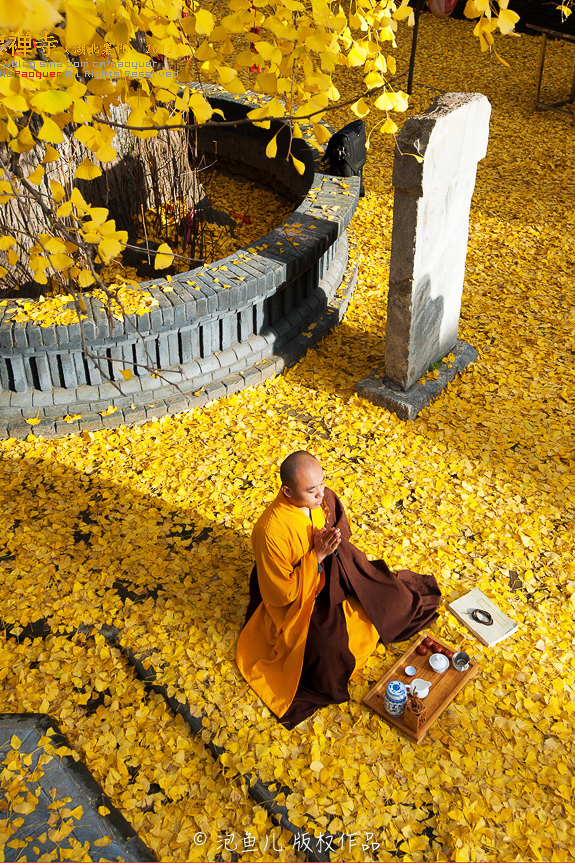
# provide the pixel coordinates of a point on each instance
(318, 607)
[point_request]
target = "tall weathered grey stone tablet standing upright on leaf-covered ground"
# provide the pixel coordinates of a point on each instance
(430, 231)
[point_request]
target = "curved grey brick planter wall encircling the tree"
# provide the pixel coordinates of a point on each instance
(208, 340)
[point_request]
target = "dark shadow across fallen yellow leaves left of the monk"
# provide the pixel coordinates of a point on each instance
(77, 550)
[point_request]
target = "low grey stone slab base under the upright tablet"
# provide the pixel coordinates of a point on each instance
(407, 405)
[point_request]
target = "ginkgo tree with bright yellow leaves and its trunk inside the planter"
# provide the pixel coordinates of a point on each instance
(99, 100)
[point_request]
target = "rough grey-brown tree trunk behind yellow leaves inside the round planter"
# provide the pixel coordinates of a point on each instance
(153, 173)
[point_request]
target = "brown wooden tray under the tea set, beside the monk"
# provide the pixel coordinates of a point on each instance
(444, 687)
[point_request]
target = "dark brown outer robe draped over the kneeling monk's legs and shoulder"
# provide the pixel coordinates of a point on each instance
(397, 605)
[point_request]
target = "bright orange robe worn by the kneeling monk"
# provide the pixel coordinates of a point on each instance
(270, 649)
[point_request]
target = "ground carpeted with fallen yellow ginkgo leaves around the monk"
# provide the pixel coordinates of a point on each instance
(147, 530)
